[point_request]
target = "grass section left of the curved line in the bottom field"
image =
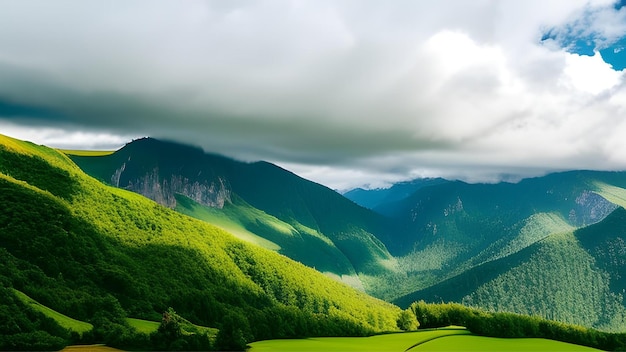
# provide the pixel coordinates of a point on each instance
(390, 342)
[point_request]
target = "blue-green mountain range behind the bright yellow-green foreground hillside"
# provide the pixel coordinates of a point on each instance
(421, 239)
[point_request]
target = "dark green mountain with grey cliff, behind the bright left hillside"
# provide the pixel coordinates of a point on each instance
(258, 202)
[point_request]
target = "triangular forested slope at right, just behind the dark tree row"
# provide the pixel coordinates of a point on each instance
(571, 277)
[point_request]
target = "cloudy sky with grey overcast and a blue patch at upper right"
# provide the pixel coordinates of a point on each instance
(347, 93)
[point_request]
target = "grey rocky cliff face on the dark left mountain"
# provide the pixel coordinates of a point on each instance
(163, 190)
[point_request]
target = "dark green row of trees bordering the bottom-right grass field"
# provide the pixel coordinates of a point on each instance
(510, 325)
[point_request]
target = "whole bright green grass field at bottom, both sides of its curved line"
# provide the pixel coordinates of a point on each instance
(446, 339)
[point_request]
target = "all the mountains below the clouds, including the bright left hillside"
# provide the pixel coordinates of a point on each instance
(552, 246)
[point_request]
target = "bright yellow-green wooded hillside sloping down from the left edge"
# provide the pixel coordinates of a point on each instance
(100, 254)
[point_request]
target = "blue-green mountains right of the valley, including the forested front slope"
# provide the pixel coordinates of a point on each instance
(476, 243)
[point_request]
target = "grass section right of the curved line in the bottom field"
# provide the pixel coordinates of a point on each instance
(481, 343)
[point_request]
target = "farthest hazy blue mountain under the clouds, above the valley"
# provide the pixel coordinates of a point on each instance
(378, 198)
